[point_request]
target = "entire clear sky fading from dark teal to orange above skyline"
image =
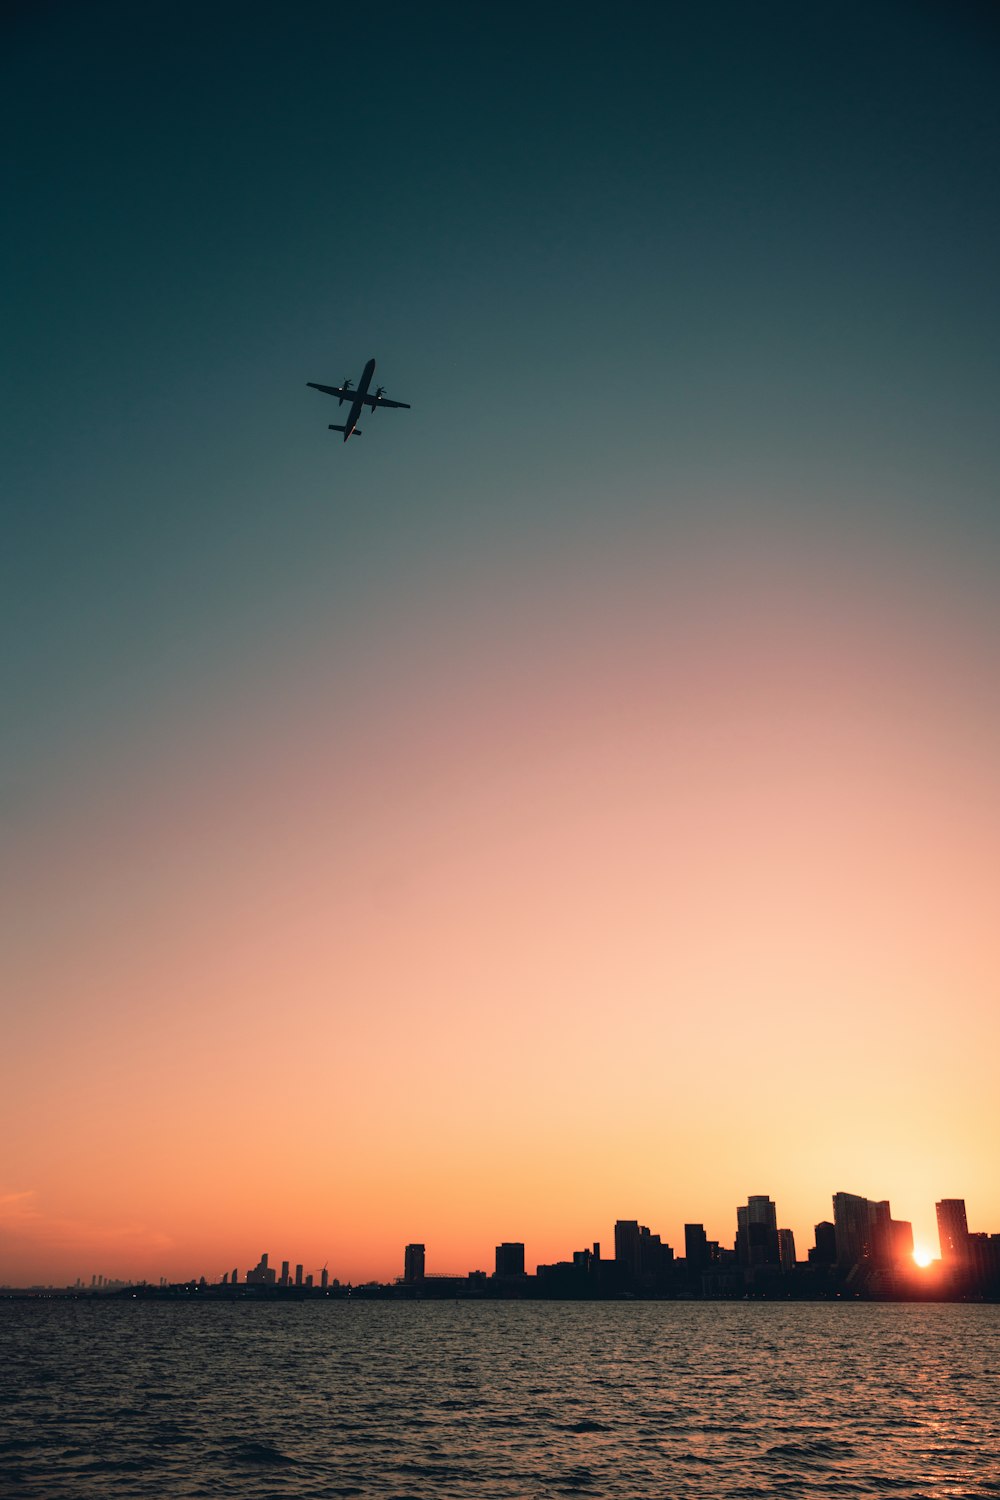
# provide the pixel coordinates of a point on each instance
(579, 797)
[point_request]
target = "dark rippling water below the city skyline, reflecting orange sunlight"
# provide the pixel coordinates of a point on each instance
(443, 1400)
